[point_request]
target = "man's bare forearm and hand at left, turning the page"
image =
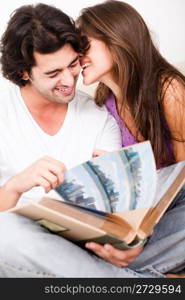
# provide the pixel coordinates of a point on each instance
(46, 172)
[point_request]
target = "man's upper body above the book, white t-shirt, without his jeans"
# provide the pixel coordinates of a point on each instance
(44, 125)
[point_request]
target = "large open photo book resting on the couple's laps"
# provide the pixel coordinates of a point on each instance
(115, 198)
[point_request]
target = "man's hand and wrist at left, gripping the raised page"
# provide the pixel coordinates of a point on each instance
(46, 172)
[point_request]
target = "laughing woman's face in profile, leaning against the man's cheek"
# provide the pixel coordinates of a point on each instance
(97, 63)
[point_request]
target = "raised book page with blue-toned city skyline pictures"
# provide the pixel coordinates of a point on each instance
(115, 181)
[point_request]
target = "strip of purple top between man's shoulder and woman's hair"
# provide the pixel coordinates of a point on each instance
(127, 137)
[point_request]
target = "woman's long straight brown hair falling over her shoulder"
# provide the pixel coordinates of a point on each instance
(141, 72)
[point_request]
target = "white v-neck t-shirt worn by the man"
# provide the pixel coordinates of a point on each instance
(86, 127)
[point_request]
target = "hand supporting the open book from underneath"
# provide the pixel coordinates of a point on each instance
(119, 258)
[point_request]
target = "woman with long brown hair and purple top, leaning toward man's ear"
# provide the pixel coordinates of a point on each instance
(143, 92)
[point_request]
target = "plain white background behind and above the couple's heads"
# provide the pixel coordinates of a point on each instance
(165, 19)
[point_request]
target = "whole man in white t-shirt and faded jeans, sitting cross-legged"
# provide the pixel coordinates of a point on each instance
(42, 116)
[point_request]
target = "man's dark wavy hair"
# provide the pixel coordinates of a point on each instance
(40, 28)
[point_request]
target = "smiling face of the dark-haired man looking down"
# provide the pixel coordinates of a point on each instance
(55, 75)
